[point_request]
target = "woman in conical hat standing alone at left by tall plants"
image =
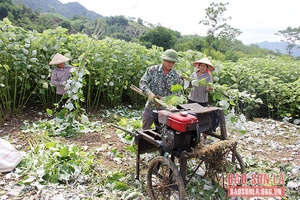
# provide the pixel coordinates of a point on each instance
(60, 75)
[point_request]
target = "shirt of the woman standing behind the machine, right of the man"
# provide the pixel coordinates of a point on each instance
(199, 93)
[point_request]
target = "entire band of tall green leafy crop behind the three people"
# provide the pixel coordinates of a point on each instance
(113, 65)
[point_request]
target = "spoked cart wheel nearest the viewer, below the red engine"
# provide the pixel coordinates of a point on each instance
(164, 180)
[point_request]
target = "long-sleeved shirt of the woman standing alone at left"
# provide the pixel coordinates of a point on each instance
(59, 75)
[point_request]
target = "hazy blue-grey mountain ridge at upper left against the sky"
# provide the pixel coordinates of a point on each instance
(68, 10)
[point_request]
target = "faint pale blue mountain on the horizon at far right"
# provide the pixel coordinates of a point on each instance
(278, 47)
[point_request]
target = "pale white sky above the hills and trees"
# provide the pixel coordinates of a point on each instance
(258, 20)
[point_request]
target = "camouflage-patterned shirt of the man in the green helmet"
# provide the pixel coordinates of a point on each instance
(160, 84)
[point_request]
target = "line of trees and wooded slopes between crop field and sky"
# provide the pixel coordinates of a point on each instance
(220, 42)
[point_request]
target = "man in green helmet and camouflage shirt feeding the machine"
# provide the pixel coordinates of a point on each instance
(156, 82)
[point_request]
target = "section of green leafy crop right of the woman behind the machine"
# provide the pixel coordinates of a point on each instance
(274, 80)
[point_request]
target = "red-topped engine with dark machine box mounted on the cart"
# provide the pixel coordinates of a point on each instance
(181, 129)
